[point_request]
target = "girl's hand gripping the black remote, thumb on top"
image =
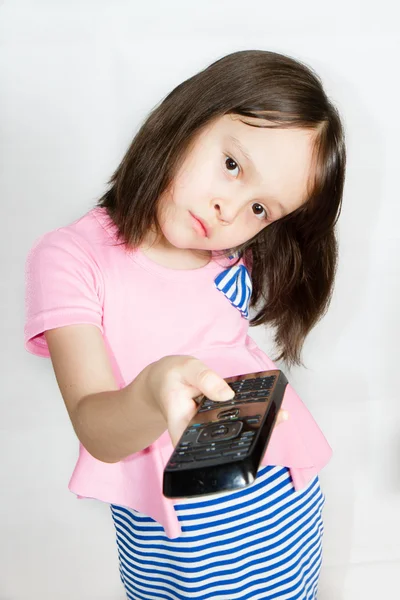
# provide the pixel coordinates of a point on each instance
(174, 381)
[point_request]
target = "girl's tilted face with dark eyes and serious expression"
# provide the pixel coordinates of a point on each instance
(236, 196)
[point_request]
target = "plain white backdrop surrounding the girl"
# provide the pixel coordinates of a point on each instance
(77, 78)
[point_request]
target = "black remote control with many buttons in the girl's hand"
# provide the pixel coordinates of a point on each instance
(222, 447)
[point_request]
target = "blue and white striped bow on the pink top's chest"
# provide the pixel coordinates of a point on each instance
(236, 284)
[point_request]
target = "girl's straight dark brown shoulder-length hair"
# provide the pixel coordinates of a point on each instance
(294, 259)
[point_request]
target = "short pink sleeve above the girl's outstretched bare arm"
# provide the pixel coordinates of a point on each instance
(64, 286)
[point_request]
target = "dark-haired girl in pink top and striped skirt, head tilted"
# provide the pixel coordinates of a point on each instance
(142, 304)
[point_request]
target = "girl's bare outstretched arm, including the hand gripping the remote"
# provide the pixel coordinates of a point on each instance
(110, 423)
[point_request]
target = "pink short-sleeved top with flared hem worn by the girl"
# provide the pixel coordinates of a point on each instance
(79, 274)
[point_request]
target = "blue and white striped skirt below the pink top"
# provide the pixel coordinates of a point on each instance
(264, 541)
